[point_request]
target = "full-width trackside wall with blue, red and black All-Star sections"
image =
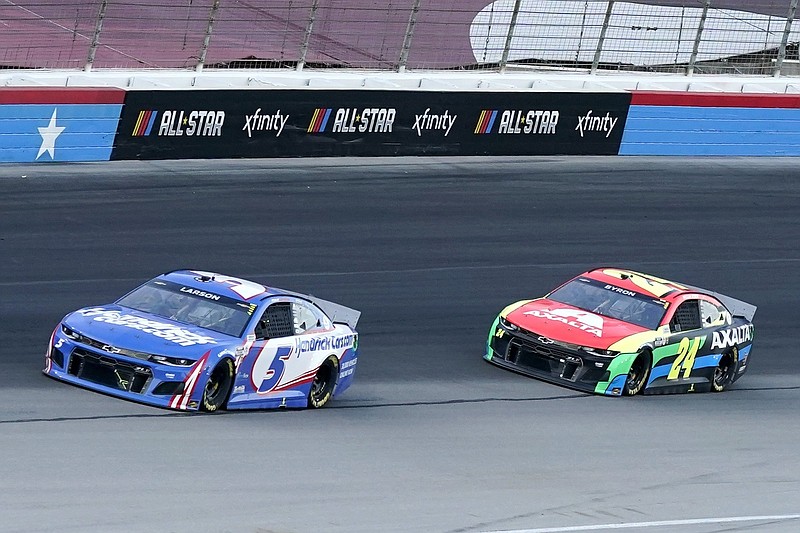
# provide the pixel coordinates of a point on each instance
(101, 124)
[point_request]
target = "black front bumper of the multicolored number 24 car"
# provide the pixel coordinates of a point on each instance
(536, 356)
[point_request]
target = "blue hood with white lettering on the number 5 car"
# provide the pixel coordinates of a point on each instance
(122, 327)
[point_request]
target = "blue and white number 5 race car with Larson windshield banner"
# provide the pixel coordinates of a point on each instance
(198, 340)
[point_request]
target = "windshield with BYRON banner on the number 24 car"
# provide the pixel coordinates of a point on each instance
(611, 301)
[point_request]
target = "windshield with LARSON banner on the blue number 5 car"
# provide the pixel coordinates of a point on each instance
(190, 306)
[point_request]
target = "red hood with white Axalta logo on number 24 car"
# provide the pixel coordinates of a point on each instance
(562, 322)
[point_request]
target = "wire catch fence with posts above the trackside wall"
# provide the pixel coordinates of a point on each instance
(683, 36)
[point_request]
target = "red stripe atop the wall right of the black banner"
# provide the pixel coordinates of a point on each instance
(687, 99)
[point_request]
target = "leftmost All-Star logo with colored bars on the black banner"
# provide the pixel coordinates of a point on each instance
(180, 123)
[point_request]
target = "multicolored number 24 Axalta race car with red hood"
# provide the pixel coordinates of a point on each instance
(618, 332)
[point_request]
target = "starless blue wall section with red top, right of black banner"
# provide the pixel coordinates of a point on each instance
(712, 124)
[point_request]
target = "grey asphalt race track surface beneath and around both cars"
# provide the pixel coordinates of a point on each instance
(430, 437)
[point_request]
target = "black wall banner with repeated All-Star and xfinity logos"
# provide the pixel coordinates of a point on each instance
(181, 124)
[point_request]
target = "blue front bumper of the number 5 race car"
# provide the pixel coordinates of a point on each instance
(119, 375)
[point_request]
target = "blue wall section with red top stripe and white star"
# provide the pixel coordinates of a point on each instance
(59, 124)
